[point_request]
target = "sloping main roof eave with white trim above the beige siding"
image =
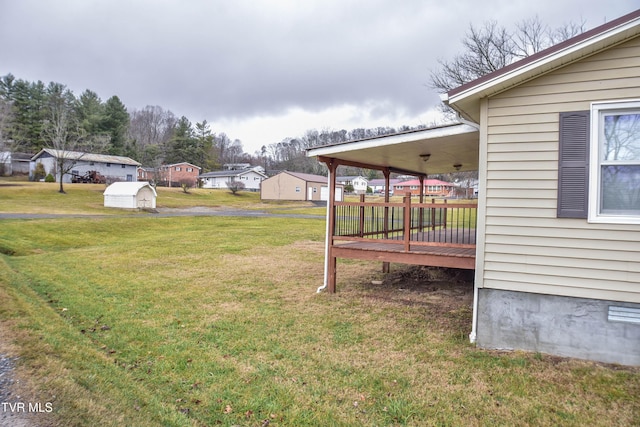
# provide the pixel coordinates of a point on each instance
(465, 99)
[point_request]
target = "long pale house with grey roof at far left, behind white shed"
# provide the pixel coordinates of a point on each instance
(114, 168)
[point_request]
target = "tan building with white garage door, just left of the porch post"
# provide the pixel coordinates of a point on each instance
(297, 186)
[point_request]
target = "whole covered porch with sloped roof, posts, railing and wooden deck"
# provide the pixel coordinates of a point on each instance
(409, 231)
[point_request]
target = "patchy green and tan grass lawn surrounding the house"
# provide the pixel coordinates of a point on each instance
(200, 321)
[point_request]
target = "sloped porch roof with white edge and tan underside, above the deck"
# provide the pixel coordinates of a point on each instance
(439, 149)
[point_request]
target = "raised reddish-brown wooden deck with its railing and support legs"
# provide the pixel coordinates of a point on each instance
(431, 234)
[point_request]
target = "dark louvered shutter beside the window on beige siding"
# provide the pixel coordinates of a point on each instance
(573, 165)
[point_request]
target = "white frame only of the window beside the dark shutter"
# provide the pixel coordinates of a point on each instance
(598, 110)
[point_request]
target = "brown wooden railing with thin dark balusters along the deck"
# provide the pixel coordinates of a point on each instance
(426, 224)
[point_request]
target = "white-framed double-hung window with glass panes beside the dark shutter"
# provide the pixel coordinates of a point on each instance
(614, 172)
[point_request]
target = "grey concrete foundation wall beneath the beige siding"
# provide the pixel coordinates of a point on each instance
(562, 326)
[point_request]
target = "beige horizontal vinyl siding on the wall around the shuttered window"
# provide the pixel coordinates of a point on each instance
(527, 248)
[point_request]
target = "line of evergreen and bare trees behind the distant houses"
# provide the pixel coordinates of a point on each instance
(34, 115)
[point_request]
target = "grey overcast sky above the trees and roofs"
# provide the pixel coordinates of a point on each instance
(261, 71)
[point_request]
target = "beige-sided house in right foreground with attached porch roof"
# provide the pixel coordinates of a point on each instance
(557, 233)
